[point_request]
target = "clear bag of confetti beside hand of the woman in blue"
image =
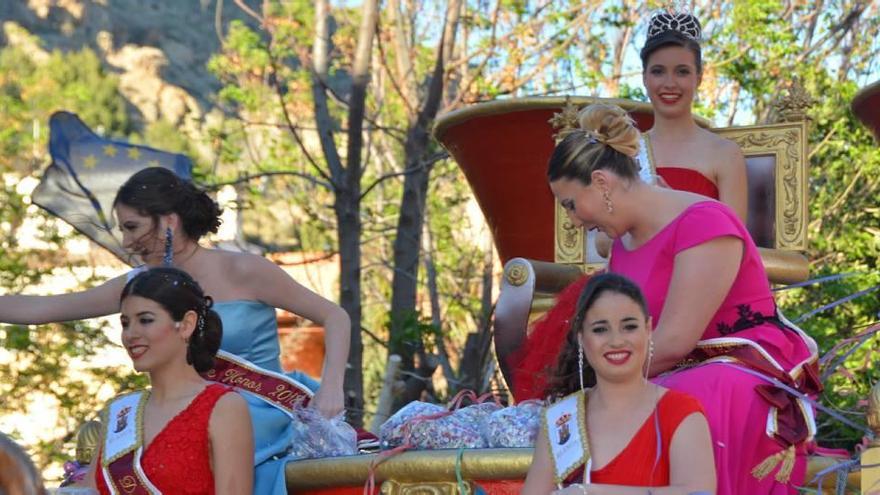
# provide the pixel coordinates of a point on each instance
(315, 436)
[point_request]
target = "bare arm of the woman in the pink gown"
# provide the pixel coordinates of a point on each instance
(701, 278)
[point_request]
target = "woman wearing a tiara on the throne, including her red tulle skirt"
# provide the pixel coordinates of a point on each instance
(685, 157)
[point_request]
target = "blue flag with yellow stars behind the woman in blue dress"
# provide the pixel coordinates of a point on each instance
(86, 171)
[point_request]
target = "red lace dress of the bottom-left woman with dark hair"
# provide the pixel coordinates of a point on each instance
(177, 461)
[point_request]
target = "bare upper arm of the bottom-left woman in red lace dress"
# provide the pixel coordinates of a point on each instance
(232, 446)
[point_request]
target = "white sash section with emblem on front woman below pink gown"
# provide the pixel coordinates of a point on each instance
(566, 429)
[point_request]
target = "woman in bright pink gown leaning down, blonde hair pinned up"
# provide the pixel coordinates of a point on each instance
(717, 335)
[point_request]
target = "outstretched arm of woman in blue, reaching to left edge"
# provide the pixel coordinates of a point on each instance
(33, 310)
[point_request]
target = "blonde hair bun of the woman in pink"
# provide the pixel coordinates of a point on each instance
(611, 126)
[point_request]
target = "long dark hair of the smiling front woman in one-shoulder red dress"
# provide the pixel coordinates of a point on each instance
(564, 379)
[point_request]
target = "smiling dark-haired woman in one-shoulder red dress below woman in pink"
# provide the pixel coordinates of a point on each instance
(638, 434)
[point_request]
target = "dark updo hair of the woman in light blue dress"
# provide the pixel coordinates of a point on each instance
(158, 191)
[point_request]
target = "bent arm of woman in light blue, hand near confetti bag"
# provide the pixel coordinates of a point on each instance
(274, 287)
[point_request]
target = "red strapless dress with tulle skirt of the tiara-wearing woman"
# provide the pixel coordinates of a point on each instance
(533, 364)
